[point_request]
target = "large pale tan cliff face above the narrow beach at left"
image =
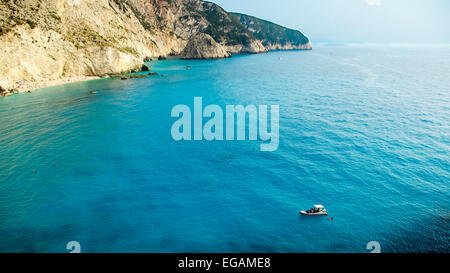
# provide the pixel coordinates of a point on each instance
(50, 39)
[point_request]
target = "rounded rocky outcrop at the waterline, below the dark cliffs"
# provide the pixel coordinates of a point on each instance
(203, 46)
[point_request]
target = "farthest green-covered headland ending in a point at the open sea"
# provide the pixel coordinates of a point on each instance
(273, 36)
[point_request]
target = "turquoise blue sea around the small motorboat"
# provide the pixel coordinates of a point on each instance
(363, 131)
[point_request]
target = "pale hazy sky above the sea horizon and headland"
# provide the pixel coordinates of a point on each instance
(372, 21)
